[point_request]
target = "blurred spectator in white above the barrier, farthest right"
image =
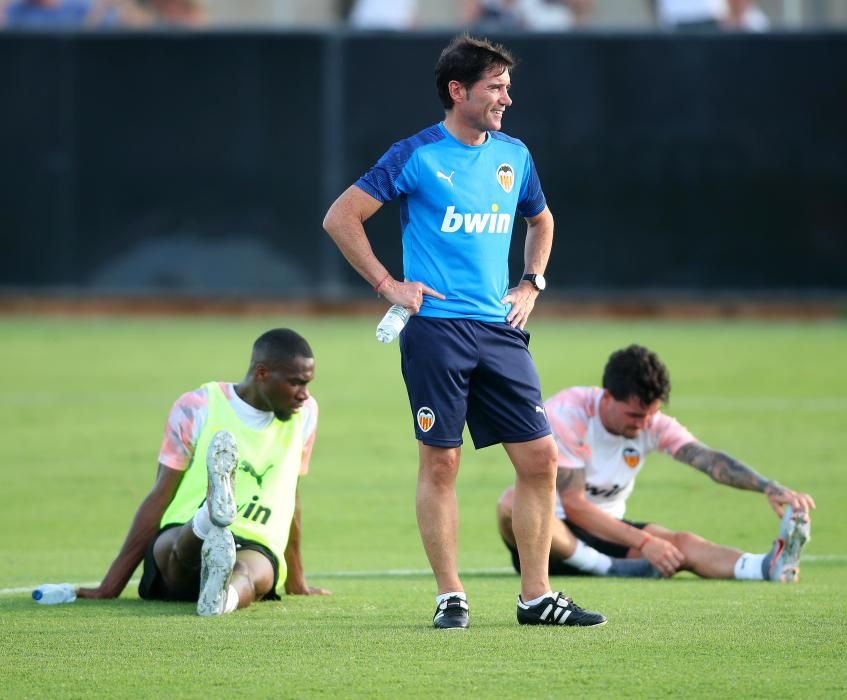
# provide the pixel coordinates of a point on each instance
(710, 15)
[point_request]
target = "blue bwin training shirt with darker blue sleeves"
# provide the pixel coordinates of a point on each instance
(457, 210)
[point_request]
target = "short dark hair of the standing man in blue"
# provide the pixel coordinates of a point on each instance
(467, 59)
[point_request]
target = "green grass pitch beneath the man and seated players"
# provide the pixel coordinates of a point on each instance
(82, 407)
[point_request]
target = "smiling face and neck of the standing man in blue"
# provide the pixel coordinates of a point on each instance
(479, 107)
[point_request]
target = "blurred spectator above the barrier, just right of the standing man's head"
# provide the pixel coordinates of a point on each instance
(531, 15)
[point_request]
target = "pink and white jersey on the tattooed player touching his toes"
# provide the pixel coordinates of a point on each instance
(611, 462)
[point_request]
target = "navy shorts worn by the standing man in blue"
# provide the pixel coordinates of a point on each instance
(457, 370)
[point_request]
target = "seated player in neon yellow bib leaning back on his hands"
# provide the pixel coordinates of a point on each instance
(201, 538)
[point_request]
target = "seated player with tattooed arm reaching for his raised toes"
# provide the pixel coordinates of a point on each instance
(603, 437)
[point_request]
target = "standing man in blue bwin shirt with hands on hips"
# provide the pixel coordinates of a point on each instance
(464, 353)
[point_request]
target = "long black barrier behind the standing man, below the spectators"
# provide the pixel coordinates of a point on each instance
(203, 163)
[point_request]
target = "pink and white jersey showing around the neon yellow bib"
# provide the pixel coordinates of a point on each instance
(189, 414)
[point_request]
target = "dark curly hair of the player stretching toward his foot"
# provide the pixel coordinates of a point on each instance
(637, 371)
